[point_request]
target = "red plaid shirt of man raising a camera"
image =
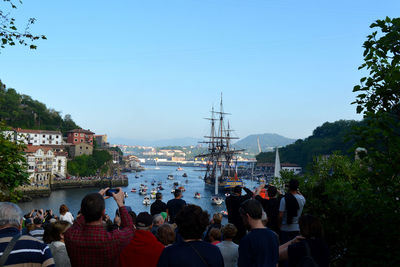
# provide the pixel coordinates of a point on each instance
(92, 245)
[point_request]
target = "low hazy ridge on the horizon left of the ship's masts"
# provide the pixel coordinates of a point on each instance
(186, 141)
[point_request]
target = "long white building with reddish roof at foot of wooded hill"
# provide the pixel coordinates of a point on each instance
(37, 137)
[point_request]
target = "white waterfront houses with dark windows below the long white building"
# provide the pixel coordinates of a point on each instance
(44, 164)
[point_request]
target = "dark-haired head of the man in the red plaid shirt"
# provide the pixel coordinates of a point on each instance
(93, 207)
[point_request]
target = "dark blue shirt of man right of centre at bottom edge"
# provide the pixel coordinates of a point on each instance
(260, 247)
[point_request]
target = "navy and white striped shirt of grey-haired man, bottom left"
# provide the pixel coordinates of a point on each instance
(27, 252)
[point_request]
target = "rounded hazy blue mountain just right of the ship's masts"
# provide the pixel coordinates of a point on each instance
(267, 142)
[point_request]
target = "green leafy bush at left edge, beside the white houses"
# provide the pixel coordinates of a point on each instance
(13, 167)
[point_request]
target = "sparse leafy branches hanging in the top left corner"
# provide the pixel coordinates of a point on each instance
(10, 34)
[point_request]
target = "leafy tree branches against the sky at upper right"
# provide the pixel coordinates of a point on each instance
(380, 91)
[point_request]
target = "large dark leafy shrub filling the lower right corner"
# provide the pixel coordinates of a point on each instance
(354, 211)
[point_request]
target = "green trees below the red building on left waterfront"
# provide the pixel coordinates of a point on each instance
(88, 165)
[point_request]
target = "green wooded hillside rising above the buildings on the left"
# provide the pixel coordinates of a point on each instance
(21, 111)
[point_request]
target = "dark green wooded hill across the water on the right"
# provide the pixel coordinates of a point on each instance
(326, 139)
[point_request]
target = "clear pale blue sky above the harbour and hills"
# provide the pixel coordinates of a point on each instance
(154, 69)
